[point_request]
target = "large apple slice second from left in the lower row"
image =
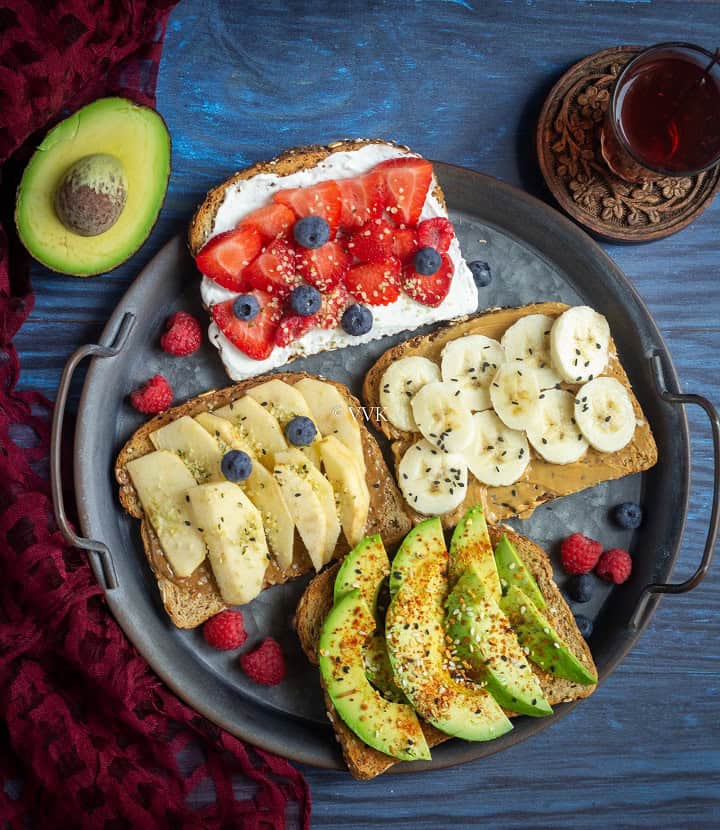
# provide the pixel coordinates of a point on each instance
(233, 532)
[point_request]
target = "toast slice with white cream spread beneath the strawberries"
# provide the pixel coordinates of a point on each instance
(227, 205)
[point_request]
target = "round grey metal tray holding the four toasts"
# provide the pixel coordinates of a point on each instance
(535, 254)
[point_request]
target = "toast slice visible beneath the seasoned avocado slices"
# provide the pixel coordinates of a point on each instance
(363, 761)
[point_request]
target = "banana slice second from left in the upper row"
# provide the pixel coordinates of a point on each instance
(472, 362)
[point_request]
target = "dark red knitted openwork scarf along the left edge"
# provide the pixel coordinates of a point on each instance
(89, 736)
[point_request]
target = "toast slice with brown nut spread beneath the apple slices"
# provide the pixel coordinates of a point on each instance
(191, 600)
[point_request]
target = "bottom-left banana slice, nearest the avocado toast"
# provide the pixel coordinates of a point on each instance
(431, 481)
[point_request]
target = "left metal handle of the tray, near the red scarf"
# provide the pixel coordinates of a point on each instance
(100, 549)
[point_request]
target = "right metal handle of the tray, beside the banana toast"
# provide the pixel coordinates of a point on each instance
(638, 616)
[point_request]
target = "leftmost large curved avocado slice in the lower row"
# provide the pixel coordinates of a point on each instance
(392, 728)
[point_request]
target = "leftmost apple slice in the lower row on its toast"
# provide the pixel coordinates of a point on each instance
(161, 481)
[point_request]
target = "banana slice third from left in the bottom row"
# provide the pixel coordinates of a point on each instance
(556, 436)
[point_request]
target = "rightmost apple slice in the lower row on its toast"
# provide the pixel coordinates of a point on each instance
(351, 491)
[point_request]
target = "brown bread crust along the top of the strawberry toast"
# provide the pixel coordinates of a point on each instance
(287, 163)
